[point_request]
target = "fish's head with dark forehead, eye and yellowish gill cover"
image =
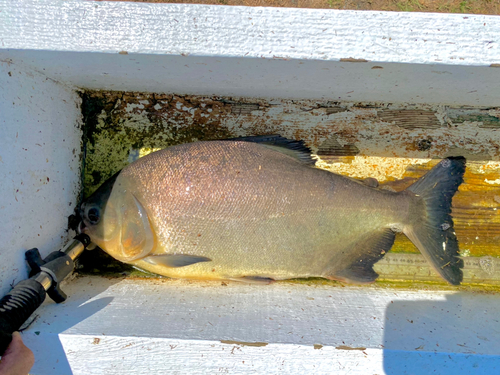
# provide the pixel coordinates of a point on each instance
(117, 222)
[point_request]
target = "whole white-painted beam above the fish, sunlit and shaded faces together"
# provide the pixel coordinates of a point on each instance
(257, 52)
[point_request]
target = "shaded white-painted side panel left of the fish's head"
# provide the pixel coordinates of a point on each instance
(39, 166)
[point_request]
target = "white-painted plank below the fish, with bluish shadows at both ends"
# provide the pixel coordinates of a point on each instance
(120, 326)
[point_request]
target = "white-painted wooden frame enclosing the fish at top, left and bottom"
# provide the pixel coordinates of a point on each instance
(182, 327)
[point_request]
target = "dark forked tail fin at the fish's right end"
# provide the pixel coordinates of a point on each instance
(434, 235)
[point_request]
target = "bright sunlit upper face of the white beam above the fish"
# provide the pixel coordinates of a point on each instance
(201, 30)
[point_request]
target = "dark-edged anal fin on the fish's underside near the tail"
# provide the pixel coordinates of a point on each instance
(363, 255)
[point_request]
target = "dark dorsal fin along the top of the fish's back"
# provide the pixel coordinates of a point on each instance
(290, 147)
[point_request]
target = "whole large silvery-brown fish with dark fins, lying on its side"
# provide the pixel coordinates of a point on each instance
(256, 209)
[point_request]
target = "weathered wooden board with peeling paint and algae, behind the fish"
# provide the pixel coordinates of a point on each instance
(394, 143)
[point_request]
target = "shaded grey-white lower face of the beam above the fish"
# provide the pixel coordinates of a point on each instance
(266, 78)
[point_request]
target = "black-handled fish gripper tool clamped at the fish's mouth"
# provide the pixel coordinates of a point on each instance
(45, 277)
